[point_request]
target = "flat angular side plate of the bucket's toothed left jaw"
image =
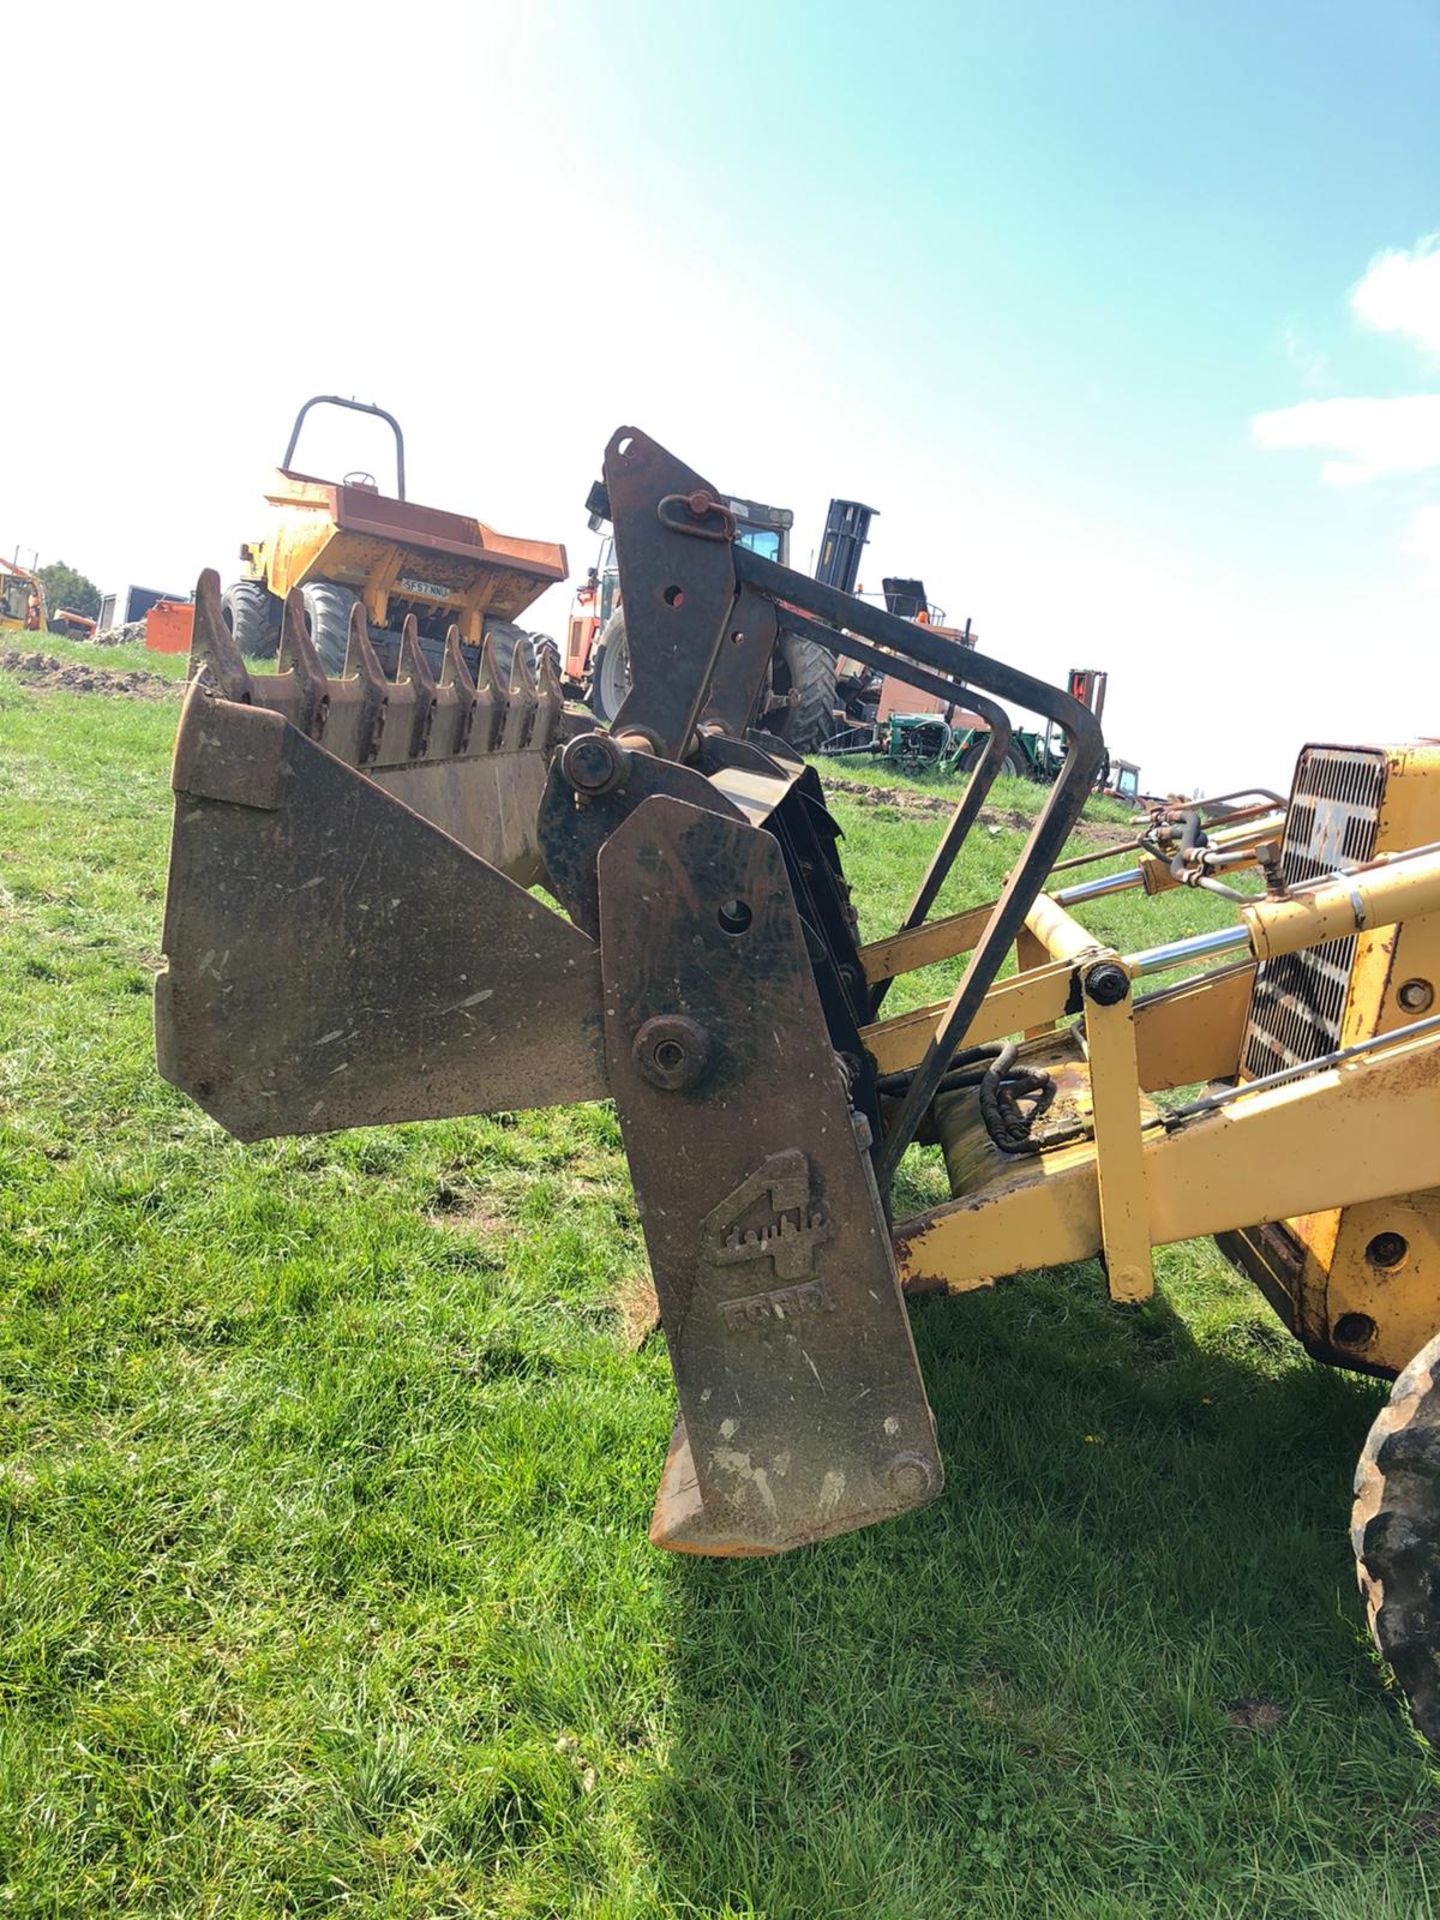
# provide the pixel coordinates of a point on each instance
(335, 961)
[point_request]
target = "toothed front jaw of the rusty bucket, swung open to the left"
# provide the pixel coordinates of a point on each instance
(345, 944)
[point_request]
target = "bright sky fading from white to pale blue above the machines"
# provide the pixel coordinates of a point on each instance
(1022, 277)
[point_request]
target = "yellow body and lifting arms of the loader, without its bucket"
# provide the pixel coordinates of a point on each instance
(1326, 1188)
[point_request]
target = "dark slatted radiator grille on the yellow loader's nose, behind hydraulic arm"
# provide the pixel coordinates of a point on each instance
(1301, 999)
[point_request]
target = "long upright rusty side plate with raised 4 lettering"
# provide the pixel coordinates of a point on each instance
(802, 1397)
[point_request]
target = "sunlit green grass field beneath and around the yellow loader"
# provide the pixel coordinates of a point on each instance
(325, 1474)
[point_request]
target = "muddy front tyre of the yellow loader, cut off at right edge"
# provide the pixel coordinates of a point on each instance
(1395, 1529)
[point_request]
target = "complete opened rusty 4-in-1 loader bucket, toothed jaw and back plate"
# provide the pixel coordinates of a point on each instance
(350, 942)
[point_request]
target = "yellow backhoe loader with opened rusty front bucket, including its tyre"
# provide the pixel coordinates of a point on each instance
(348, 942)
